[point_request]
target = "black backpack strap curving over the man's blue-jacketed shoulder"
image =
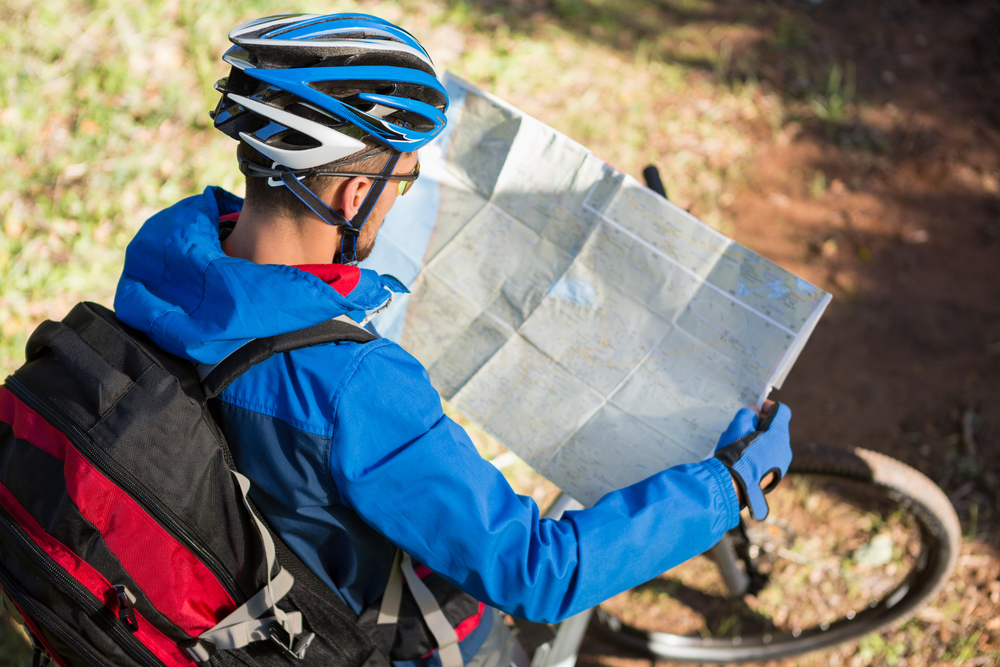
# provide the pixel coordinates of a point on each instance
(259, 349)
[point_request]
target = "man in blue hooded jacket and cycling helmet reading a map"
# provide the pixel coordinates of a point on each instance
(346, 445)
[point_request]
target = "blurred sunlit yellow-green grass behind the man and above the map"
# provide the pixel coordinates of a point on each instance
(104, 120)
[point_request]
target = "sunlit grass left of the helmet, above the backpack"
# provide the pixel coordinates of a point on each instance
(102, 130)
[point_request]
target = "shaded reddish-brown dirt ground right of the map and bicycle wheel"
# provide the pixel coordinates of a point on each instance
(896, 210)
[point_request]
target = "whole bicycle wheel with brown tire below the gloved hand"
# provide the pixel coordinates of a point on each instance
(855, 541)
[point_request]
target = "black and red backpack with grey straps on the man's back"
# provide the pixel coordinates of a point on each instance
(126, 534)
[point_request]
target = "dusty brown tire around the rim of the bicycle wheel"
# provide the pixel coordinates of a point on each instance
(940, 537)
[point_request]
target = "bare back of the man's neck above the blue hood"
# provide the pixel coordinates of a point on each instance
(269, 240)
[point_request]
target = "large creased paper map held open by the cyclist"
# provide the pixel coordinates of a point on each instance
(591, 326)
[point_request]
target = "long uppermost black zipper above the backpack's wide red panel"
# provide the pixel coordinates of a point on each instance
(114, 472)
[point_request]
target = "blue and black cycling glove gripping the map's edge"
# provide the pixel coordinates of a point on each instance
(752, 448)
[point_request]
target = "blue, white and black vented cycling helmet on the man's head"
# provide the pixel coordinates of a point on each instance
(305, 90)
